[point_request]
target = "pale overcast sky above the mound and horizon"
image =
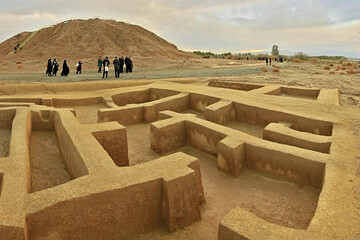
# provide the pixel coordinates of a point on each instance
(317, 27)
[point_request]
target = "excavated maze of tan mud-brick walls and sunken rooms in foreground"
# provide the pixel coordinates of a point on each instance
(224, 160)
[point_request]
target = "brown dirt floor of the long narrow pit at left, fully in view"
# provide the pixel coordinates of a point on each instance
(46, 163)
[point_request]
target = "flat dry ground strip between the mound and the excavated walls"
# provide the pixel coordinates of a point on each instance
(304, 74)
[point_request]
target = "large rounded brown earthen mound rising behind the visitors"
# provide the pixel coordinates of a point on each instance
(87, 39)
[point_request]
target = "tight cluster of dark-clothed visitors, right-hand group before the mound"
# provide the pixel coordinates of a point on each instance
(118, 65)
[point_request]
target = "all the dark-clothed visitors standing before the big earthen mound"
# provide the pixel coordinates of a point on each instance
(53, 66)
